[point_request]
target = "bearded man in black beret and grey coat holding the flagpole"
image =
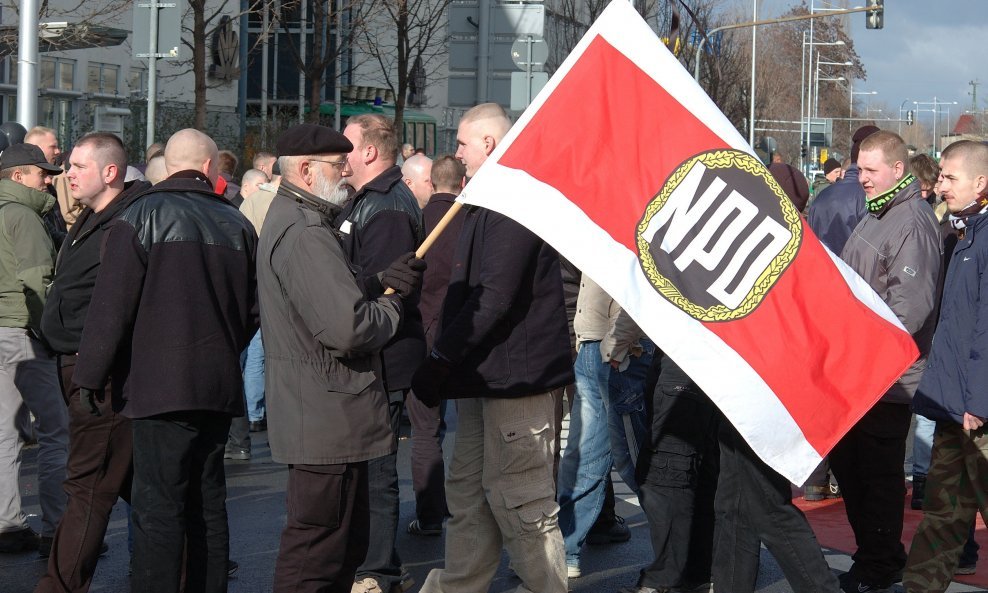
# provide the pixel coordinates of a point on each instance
(323, 336)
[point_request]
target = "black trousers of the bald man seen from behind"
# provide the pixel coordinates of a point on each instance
(179, 500)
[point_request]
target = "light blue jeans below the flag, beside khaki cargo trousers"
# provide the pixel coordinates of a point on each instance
(596, 429)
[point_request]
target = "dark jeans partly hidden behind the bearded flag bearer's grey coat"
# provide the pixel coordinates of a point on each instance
(382, 561)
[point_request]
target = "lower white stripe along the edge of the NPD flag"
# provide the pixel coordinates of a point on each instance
(723, 374)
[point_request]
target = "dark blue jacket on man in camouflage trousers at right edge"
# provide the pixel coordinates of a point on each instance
(956, 379)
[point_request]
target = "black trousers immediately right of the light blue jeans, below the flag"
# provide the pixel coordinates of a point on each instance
(678, 477)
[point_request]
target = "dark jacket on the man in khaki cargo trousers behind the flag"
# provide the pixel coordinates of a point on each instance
(503, 324)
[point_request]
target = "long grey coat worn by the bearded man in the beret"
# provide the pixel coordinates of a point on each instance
(322, 340)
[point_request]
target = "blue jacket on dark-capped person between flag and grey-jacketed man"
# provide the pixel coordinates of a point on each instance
(837, 210)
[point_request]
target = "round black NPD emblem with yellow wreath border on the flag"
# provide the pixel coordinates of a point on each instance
(718, 235)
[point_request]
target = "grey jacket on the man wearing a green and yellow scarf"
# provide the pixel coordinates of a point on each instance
(898, 251)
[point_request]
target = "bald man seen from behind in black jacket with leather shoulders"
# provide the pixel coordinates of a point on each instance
(152, 333)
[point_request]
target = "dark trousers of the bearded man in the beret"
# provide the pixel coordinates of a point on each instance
(325, 536)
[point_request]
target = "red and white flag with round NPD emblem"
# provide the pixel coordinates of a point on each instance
(627, 168)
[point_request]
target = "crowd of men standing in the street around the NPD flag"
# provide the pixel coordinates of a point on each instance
(116, 286)
